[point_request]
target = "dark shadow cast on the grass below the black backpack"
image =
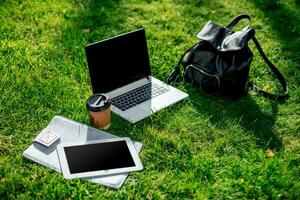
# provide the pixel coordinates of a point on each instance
(244, 112)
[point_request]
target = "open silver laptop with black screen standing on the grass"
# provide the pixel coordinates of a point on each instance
(120, 68)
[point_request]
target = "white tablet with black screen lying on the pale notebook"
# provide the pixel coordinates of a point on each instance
(98, 158)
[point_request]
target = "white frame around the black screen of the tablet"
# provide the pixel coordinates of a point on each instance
(65, 167)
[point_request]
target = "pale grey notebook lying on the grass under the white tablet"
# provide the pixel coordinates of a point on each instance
(70, 131)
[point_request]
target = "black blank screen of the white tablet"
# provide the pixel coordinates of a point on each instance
(98, 156)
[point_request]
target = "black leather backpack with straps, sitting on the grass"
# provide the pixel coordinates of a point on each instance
(220, 63)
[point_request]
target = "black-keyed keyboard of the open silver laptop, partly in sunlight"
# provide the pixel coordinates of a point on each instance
(138, 95)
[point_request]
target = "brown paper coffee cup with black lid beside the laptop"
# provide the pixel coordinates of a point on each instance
(98, 106)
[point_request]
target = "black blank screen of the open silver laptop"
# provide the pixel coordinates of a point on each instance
(118, 61)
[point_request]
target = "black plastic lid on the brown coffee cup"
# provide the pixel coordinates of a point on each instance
(98, 102)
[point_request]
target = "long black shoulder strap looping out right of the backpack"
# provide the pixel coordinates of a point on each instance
(279, 76)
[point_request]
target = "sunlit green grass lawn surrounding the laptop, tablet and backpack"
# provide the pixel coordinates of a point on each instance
(206, 147)
